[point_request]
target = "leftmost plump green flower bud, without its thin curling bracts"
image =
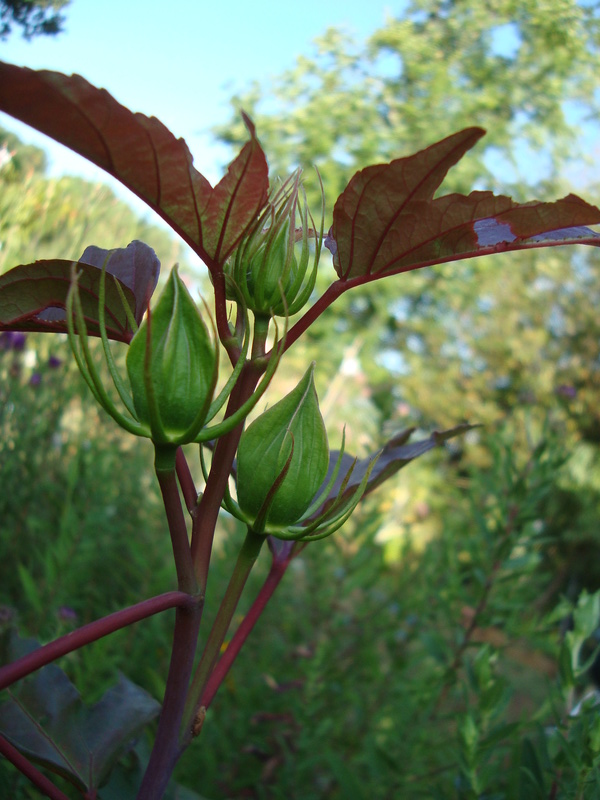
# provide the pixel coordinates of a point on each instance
(172, 366)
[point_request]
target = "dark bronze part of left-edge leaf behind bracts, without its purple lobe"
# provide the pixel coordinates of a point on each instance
(33, 298)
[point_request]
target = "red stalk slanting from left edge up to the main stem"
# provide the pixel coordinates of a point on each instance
(91, 633)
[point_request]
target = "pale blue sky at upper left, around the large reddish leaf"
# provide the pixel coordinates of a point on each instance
(182, 60)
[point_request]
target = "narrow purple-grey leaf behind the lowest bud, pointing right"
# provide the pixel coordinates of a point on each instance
(394, 455)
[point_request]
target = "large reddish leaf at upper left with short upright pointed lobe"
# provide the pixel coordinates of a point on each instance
(144, 155)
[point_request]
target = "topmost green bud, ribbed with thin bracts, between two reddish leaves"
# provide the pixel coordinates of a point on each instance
(272, 267)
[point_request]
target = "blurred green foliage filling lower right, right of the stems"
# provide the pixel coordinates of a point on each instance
(432, 674)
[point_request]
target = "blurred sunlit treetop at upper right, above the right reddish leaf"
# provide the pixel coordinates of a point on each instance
(504, 66)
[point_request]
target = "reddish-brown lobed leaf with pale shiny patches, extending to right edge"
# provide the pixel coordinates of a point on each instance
(387, 221)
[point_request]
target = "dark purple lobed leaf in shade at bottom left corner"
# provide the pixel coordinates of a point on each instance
(45, 719)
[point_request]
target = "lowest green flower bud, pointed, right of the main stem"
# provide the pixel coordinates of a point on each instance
(287, 445)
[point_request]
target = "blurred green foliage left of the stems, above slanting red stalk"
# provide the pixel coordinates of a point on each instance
(60, 505)
